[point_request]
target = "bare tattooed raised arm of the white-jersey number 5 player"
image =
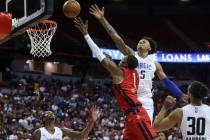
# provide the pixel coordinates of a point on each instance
(99, 14)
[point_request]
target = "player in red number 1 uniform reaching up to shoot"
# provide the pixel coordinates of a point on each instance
(125, 84)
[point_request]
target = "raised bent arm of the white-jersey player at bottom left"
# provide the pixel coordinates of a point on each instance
(94, 113)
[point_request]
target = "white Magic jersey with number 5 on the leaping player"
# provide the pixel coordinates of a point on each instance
(146, 69)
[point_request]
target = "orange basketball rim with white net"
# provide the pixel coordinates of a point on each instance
(41, 36)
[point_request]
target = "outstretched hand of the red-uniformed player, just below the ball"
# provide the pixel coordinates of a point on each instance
(81, 26)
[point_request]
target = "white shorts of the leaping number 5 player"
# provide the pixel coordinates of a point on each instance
(148, 105)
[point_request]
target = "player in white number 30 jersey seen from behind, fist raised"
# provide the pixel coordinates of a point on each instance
(193, 119)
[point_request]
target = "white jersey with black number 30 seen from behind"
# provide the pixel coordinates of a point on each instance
(196, 122)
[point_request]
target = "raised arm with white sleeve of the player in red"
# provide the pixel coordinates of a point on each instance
(106, 62)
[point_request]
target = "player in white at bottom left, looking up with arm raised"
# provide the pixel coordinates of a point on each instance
(50, 132)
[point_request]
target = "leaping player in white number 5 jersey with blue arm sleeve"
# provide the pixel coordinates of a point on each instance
(147, 64)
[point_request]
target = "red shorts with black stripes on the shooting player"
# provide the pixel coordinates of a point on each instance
(138, 126)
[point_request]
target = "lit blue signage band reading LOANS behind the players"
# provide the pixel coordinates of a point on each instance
(167, 57)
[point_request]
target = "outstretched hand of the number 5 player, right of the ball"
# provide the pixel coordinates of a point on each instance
(96, 11)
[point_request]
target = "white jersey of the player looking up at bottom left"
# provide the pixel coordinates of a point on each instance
(45, 135)
